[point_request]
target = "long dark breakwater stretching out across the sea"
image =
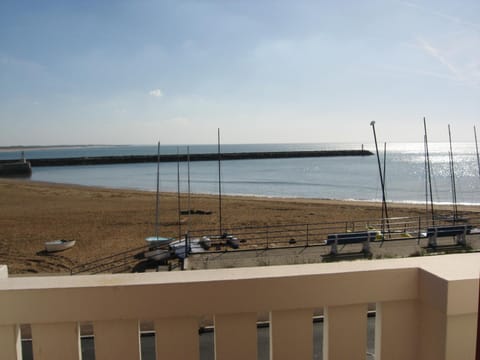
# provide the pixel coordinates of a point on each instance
(130, 159)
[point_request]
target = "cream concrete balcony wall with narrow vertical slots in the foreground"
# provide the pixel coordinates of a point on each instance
(426, 309)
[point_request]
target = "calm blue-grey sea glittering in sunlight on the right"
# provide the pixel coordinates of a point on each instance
(403, 167)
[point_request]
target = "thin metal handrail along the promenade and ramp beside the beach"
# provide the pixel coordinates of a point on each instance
(281, 236)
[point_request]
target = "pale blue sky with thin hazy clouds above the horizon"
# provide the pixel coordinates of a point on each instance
(133, 72)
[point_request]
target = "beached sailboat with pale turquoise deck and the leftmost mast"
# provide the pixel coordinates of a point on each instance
(158, 249)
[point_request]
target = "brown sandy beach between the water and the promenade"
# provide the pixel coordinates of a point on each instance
(108, 221)
